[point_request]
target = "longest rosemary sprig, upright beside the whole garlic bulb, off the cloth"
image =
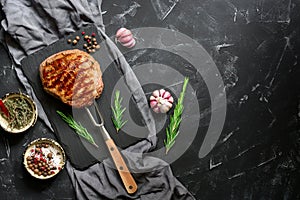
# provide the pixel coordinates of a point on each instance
(172, 130)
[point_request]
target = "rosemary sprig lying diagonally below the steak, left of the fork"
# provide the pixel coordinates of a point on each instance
(79, 129)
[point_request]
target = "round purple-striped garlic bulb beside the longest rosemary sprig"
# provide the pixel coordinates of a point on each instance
(161, 101)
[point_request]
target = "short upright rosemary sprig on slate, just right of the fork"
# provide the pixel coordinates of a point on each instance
(118, 111)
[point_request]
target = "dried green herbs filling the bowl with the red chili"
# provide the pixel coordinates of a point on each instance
(20, 112)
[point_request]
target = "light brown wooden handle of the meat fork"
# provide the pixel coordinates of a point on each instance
(128, 180)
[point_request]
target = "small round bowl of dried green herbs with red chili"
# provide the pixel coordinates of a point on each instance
(18, 112)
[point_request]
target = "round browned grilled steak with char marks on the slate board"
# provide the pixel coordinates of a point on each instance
(73, 76)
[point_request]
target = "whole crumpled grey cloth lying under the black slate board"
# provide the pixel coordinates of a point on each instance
(32, 25)
